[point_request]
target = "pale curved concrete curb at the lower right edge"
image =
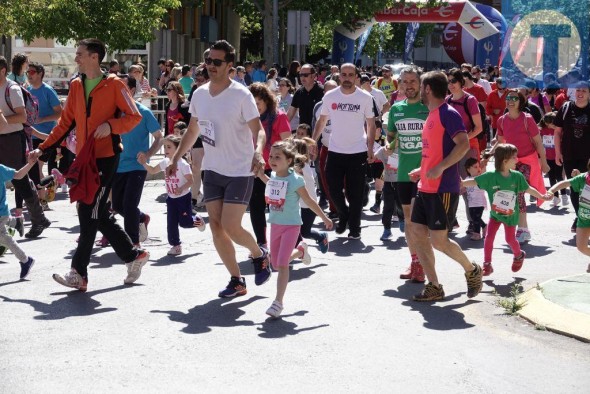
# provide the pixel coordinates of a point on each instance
(555, 318)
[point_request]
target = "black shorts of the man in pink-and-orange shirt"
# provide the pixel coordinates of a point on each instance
(435, 210)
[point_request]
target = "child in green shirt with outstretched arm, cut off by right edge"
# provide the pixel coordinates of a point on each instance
(580, 183)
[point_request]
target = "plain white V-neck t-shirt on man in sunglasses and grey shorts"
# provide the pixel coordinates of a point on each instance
(227, 114)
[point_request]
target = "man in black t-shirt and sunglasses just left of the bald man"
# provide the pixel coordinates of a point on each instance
(307, 96)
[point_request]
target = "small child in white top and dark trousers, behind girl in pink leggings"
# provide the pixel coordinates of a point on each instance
(307, 148)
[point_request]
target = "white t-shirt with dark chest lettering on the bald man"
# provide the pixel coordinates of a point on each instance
(348, 113)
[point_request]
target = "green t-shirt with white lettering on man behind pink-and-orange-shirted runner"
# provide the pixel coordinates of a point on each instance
(407, 121)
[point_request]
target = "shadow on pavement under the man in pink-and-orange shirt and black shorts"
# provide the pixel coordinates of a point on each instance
(436, 316)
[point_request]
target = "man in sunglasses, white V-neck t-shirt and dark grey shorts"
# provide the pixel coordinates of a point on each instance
(230, 161)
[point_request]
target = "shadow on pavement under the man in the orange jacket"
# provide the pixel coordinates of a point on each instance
(74, 303)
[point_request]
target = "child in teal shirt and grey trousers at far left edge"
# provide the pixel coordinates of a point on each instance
(7, 221)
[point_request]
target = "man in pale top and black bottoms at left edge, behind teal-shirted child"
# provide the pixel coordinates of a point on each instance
(12, 148)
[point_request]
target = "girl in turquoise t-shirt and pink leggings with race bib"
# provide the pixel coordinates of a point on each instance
(283, 191)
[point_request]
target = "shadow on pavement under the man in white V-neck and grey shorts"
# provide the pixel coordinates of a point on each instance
(219, 312)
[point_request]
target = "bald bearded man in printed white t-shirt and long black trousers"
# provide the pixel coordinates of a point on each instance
(349, 110)
